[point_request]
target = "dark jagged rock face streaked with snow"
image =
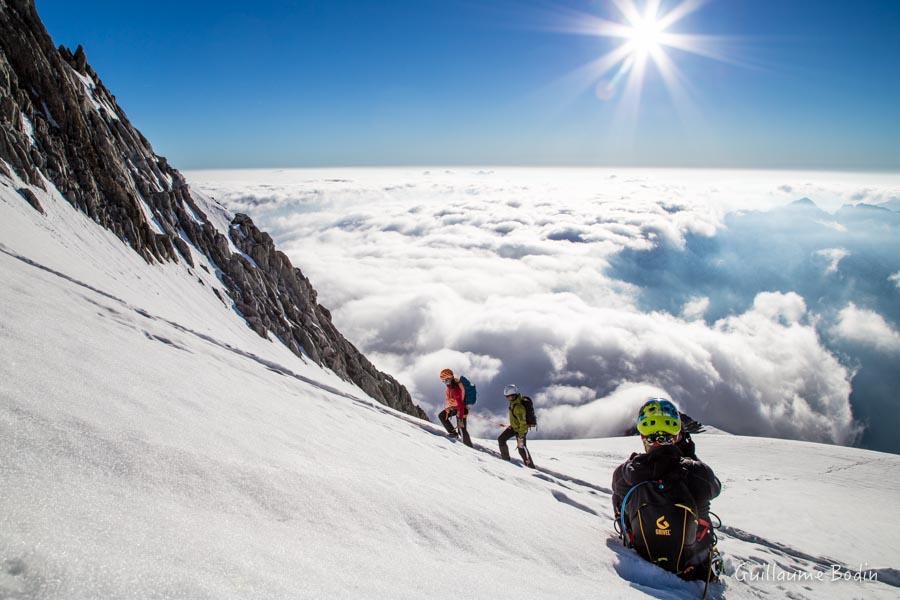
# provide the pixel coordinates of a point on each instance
(59, 125)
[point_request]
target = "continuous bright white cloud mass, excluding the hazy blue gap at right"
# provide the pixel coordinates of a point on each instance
(503, 276)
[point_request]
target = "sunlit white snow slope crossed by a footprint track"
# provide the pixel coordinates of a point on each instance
(152, 446)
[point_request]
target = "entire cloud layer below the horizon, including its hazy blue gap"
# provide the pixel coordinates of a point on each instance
(594, 289)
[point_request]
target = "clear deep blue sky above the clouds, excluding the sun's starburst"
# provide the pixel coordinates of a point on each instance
(808, 84)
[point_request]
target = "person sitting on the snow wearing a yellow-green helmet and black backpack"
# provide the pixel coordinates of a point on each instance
(661, 497)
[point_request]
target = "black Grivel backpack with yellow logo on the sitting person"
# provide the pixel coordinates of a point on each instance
(660, 521)
